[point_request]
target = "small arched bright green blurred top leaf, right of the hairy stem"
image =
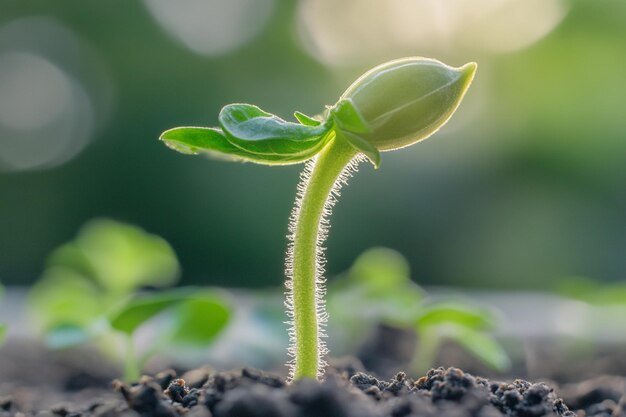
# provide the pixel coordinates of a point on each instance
(462, 315)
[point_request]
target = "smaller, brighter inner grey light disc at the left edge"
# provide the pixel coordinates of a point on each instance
(45, 117)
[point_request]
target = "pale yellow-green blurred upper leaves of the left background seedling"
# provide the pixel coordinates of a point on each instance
(102, 267)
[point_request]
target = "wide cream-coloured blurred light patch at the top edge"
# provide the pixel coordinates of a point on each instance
(336, 35)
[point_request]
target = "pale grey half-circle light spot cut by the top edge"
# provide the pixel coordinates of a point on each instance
(211, 27)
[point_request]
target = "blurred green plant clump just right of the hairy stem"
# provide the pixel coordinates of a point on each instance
(378, 289)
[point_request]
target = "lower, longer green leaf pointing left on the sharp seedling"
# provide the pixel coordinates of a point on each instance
(213, 142)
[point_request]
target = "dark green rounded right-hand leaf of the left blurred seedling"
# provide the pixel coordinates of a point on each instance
(198, 321)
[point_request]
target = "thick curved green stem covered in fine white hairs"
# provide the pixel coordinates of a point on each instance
(317, 193)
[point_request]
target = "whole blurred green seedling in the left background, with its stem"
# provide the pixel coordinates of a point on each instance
(92, 287)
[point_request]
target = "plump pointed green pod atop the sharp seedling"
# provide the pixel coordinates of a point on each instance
(407, 100)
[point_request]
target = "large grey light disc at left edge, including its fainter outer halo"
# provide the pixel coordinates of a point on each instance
(53, 94)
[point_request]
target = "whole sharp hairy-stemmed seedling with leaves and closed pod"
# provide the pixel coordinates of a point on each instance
(390, 107)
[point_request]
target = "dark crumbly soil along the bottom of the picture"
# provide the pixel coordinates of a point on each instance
(347, 391)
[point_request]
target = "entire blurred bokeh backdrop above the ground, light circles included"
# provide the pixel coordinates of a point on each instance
(526, 186)
